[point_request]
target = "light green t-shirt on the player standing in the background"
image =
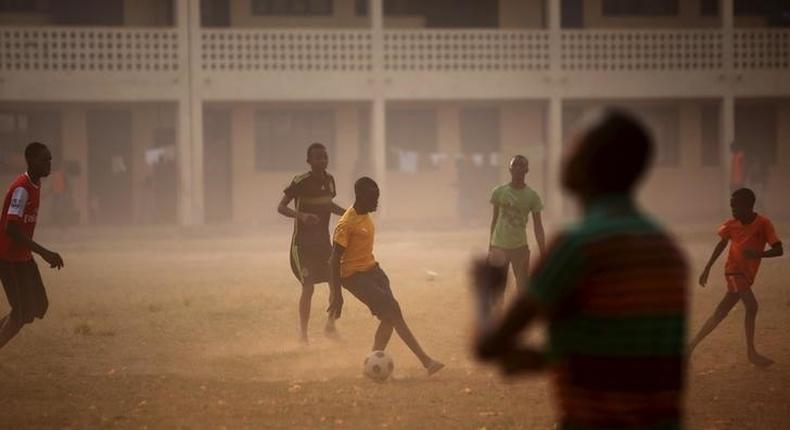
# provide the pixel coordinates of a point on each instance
(515, 205)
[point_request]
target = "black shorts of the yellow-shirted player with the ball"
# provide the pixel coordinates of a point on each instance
(372, 288)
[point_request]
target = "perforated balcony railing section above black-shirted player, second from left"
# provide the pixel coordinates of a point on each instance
(286, 50)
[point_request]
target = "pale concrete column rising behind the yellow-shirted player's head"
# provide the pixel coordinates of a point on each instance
(378, 111)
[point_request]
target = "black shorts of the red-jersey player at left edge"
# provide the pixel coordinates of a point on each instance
(24, 289)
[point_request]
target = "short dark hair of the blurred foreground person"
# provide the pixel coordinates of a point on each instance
(618, 150)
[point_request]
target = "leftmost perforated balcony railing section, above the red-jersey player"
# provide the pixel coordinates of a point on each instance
(69, 49)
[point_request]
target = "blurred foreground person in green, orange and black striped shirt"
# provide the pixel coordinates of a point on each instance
(611, 289)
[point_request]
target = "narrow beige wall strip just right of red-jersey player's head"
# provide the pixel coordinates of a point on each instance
(75, 149)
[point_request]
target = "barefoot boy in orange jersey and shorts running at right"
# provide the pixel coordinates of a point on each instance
(747, 233)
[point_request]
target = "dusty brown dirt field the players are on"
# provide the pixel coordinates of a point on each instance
(197, 329)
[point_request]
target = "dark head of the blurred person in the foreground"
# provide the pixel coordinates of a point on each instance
(610, 153)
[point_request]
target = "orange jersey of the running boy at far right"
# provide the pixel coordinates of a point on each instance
(753, 236)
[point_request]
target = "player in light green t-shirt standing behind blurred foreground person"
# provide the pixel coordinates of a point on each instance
(513, 202)
